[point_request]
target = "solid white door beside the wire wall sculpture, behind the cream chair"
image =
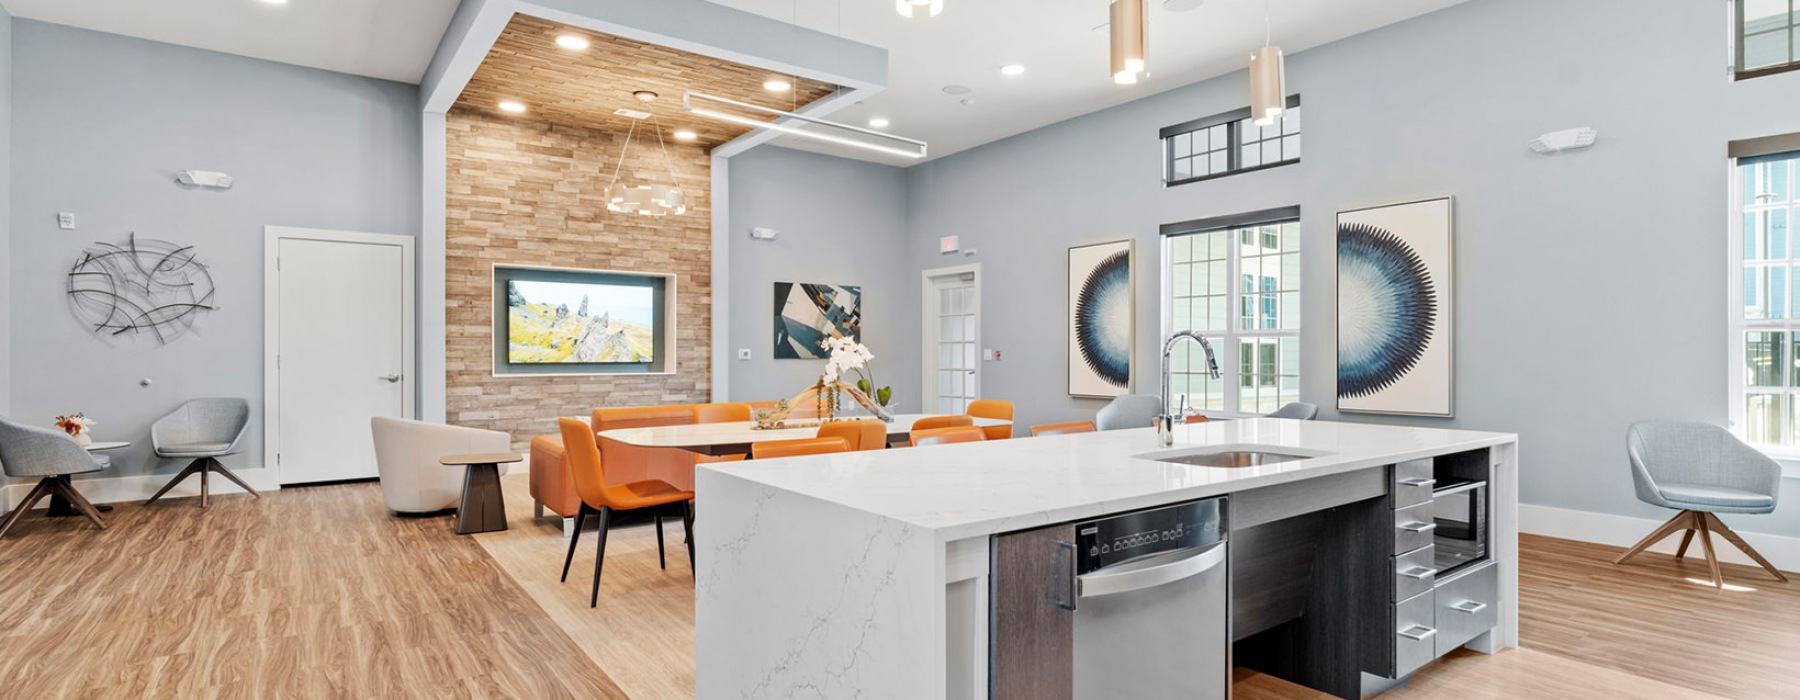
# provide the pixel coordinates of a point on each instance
(343, 339)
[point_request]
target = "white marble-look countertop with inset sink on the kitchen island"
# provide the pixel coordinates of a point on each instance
(982, 489)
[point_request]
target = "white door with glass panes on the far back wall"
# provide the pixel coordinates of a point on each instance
(953, 330)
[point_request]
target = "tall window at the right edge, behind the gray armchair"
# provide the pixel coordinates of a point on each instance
(1767, 384)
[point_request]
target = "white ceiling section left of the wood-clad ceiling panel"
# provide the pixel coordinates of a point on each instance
(377, 39)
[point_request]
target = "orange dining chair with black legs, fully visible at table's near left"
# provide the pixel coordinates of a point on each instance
(598, 498)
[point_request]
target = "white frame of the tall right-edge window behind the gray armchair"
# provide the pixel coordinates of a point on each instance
(1786, 454)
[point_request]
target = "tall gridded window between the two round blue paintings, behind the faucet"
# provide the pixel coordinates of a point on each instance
(1237, 282)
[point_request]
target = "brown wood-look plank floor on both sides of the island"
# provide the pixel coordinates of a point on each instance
(318, 593)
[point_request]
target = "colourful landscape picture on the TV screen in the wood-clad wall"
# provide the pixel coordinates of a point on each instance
(579, 323)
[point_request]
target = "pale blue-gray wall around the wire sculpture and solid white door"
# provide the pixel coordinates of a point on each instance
(102, 125)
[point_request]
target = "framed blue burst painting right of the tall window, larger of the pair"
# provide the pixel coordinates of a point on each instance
(1394, 310)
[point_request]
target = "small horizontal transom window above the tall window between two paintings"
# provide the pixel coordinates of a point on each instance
(1228, 143)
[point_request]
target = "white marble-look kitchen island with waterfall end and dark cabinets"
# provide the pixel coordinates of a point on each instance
(870, 575)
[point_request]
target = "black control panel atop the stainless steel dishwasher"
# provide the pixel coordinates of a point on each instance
(1135, 535)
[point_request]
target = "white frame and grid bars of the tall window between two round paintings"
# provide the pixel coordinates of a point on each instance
(1227, 350)
